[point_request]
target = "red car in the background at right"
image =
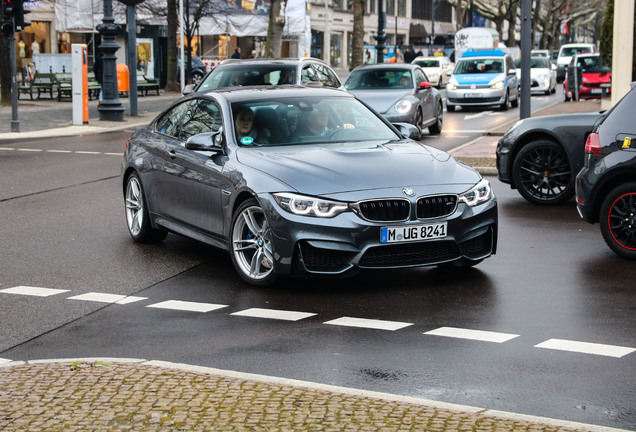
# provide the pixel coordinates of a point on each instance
(595, 77)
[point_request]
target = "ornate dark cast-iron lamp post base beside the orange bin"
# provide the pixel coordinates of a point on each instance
(111, 108)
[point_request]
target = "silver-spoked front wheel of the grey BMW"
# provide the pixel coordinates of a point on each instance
(251, 246)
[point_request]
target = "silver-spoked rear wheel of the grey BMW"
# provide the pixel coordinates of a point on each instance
(137, 217)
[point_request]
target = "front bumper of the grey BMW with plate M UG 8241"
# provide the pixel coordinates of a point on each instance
(346, 242)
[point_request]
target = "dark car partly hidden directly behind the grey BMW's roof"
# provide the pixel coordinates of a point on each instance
(247, 72)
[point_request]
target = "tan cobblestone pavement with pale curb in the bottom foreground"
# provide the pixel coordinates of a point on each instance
(135, 395)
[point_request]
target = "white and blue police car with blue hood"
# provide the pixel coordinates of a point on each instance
(483, 78)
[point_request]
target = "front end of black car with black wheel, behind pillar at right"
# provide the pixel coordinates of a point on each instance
(540, 156)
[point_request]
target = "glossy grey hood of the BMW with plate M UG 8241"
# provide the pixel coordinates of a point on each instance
(346, 167)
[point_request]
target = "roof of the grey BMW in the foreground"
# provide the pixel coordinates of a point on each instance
(266, 92)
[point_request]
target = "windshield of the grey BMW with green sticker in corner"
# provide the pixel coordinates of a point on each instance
(288, 121)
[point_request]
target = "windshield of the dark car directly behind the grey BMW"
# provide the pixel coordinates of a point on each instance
(248, 75)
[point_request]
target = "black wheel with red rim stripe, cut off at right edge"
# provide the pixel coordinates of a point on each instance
(618, 220)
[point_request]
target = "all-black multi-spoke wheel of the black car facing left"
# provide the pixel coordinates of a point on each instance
(542, 173)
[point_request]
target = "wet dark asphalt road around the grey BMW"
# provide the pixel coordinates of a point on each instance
(552, 278)
